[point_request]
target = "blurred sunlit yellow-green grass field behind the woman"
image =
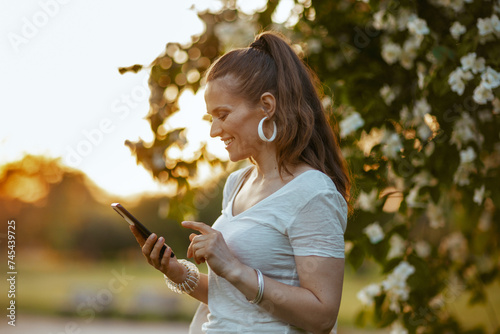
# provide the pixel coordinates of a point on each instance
(105, 292)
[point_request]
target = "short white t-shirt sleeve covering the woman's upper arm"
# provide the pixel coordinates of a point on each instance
(319, 226)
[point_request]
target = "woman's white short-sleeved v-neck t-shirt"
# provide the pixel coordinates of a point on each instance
(307, 216)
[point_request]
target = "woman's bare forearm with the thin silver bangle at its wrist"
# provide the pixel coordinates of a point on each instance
(294, 305)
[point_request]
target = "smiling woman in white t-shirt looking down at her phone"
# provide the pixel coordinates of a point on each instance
(276, 254)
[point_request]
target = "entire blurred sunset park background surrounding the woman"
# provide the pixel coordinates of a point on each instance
(102, 103)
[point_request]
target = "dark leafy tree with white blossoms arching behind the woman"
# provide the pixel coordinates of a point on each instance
(416, 90)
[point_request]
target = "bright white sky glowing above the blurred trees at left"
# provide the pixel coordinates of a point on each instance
(62, 94)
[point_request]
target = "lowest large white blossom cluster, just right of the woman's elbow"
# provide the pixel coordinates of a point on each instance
(394, 285)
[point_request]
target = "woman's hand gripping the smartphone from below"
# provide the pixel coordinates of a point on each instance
(151, 249)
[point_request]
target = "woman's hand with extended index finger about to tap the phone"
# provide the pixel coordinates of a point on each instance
(211, 247)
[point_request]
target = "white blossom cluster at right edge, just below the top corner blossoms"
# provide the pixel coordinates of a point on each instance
(470, 65)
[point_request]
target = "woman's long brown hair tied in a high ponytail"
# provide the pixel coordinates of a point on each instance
(269, 64)
